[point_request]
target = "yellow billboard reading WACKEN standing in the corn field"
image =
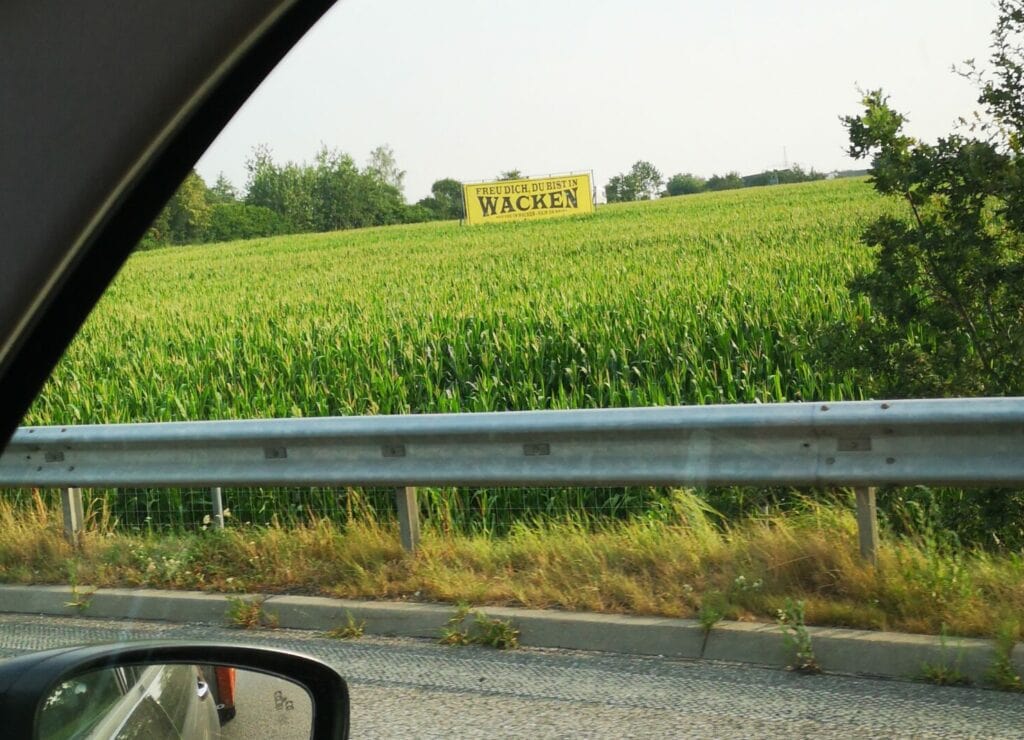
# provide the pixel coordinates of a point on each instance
(533, 198)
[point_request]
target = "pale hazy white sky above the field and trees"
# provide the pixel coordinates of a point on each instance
(470, 90)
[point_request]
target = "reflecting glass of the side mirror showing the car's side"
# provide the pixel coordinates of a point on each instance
(176, 702)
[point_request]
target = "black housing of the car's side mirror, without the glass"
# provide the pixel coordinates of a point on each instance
(26, 682)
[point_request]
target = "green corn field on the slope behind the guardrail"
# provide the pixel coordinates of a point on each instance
(715, 298)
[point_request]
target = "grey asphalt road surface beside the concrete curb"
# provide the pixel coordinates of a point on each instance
(408, 688)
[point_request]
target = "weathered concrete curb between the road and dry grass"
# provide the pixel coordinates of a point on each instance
(841, 651)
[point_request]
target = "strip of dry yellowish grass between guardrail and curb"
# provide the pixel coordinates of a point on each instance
(667, 568)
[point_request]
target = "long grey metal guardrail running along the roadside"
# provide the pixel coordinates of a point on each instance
(963, 443)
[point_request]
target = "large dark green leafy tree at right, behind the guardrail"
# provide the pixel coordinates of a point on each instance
(947, 288)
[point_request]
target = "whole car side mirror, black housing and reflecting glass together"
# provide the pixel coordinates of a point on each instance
(166, 689)
